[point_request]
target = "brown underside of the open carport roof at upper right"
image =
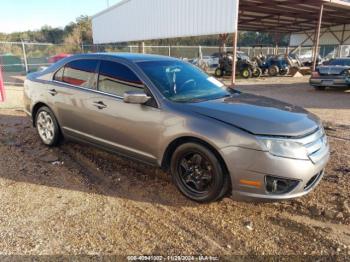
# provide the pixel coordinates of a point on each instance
(291, 16)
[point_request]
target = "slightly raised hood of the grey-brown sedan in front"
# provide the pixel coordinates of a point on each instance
(259, 115)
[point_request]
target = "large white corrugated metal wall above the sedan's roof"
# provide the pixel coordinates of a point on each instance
(138, 20)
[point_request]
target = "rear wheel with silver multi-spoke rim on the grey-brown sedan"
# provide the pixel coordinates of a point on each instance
(47, 127)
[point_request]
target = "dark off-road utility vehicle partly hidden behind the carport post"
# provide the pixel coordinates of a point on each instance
(245, 67)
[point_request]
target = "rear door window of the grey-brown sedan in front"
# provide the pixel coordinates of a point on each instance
(80, 73)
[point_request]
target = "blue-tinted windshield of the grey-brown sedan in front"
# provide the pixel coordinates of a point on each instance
(181, 82)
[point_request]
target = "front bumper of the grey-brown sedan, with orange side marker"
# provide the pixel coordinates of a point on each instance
(252, 165)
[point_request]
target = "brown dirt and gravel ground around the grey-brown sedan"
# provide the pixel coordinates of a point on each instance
(79, 200)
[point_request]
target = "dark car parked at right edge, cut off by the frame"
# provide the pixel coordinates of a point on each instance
(335, 74)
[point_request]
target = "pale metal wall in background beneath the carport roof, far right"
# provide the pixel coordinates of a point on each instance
(327, 38)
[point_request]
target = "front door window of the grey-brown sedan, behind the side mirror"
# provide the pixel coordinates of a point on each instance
(116, 79)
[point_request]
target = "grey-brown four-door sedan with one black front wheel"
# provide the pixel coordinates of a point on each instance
(212, 139)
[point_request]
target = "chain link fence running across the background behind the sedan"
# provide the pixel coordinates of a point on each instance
(19, 58)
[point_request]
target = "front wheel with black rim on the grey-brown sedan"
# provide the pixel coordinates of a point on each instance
(198, 174)
